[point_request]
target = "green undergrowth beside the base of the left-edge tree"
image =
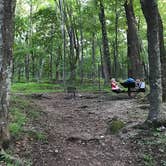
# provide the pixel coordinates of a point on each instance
(22, 113)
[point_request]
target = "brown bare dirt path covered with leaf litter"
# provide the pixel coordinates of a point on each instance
(76, 130)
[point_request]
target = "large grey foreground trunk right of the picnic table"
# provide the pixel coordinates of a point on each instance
(150, 11)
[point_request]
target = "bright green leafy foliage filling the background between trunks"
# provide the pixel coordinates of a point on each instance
(39, 35)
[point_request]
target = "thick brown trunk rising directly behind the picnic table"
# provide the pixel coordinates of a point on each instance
(135, 67)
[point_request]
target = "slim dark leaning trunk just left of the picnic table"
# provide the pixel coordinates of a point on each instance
(106, 53)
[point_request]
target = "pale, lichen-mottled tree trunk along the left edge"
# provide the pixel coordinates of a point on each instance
(7, 8)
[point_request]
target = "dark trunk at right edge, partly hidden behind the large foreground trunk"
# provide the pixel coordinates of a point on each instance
(162, 58)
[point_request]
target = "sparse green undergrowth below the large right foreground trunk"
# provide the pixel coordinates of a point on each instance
(152, 145)
